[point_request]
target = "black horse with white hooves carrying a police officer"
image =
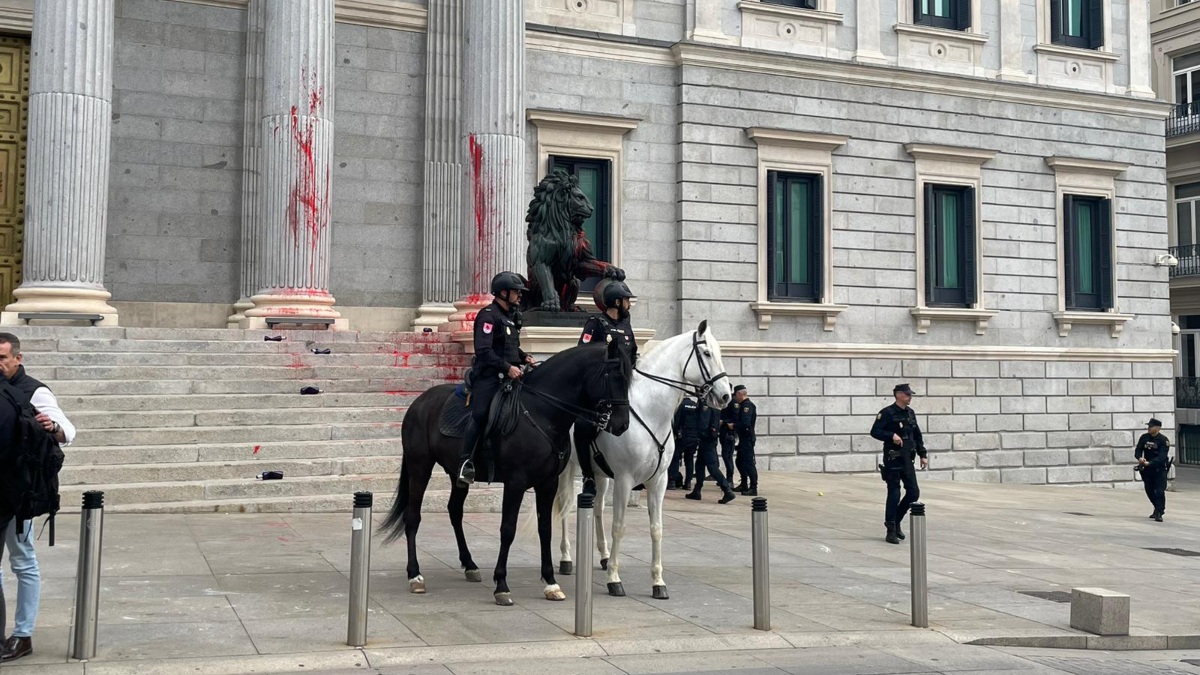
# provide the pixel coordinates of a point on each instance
(587, 384)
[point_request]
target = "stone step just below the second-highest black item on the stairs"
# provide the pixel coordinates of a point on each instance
(394, 359)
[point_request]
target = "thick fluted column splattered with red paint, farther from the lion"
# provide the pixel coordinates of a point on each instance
(298, 160)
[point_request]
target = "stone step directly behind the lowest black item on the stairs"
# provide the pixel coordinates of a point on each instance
(166, 473)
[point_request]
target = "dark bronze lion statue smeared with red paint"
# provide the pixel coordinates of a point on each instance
(560, 255)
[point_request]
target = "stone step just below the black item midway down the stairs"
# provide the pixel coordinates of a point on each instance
(235, 402)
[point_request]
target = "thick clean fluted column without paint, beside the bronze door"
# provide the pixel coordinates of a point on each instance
(67, 195)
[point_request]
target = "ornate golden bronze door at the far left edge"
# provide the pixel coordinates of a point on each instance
(14, 127)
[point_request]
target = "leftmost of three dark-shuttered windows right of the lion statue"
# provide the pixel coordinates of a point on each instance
(795, 232)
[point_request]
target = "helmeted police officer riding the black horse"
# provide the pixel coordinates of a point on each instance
(499, 356)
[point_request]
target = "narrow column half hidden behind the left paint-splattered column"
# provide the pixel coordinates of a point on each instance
(253, 150)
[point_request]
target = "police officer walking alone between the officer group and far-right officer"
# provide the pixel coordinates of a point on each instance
(898, 429)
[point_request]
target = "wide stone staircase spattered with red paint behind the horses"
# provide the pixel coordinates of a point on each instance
(182, 421)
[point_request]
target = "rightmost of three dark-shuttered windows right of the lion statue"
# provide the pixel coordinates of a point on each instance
(1088, 258)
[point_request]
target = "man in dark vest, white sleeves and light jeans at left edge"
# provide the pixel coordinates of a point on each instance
(29, 397)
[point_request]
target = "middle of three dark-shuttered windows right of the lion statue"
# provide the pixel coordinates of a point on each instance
(950, 247)
